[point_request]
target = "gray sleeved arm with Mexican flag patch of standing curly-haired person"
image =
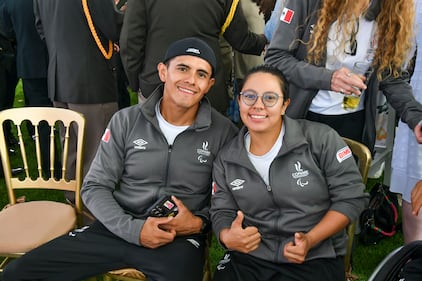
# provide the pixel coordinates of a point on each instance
(287, 53)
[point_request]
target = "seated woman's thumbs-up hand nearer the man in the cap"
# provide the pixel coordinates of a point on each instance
(241, 239)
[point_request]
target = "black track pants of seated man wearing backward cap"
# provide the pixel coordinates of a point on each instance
(93, 250)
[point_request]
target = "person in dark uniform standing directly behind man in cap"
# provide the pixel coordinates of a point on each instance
(150, 26)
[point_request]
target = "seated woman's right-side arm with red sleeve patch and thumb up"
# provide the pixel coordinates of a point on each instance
(346, 190)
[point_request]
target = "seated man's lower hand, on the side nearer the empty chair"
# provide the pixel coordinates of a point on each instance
(153, 236)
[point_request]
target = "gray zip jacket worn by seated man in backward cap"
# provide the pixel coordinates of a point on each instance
(134, 166)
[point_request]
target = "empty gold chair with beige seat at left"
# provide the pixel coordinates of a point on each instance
(27, 225)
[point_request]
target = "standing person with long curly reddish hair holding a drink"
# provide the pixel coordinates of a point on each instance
(318, 43)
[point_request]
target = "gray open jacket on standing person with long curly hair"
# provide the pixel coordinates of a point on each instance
(288, 50)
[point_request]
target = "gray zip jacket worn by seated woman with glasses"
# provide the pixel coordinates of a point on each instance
(312, 174)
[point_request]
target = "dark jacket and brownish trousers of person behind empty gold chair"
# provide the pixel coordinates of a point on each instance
(79, 76)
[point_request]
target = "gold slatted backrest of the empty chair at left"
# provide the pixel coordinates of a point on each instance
(49, 121)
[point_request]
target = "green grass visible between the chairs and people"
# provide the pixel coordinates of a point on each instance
(365, 258)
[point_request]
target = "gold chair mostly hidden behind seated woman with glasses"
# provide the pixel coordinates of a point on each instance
(363, 156)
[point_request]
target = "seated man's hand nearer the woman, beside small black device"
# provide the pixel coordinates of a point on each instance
(184, 223)
